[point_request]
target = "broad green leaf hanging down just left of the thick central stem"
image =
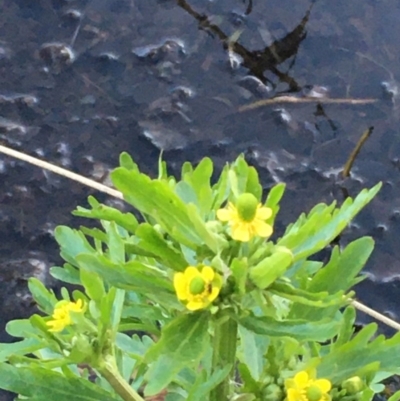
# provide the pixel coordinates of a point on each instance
(183, 342)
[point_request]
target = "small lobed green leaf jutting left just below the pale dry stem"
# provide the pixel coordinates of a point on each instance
(107, 213)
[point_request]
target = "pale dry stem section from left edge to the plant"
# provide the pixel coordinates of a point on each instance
(61, 171)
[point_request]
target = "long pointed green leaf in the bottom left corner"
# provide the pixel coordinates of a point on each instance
(38, 384)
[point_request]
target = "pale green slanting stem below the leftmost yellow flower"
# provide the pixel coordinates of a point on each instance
(110, 372)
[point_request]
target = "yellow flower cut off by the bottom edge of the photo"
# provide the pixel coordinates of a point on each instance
(304, 388)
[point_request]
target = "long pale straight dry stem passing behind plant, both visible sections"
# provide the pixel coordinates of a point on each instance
(112, 192)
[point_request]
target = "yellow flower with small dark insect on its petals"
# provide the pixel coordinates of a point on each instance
(197, 288)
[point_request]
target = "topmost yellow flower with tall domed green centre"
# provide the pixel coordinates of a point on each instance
(247, 218)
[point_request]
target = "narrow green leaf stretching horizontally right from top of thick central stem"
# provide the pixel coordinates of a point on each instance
(301, 330)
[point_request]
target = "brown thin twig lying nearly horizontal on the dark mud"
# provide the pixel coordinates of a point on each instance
(293, 99)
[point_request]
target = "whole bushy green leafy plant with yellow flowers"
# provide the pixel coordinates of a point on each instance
(166, 300)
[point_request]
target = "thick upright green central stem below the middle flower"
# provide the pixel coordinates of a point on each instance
(224, 353)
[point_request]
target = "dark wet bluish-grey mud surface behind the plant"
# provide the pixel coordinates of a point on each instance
(82, 81)
